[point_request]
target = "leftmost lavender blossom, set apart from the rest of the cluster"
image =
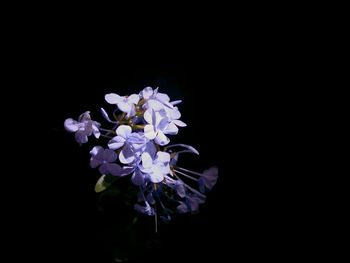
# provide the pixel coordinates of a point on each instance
(83, 128)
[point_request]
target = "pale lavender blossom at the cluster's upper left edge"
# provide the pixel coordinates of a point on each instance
(125, 104)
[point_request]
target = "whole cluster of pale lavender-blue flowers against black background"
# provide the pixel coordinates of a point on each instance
(138, 145)
